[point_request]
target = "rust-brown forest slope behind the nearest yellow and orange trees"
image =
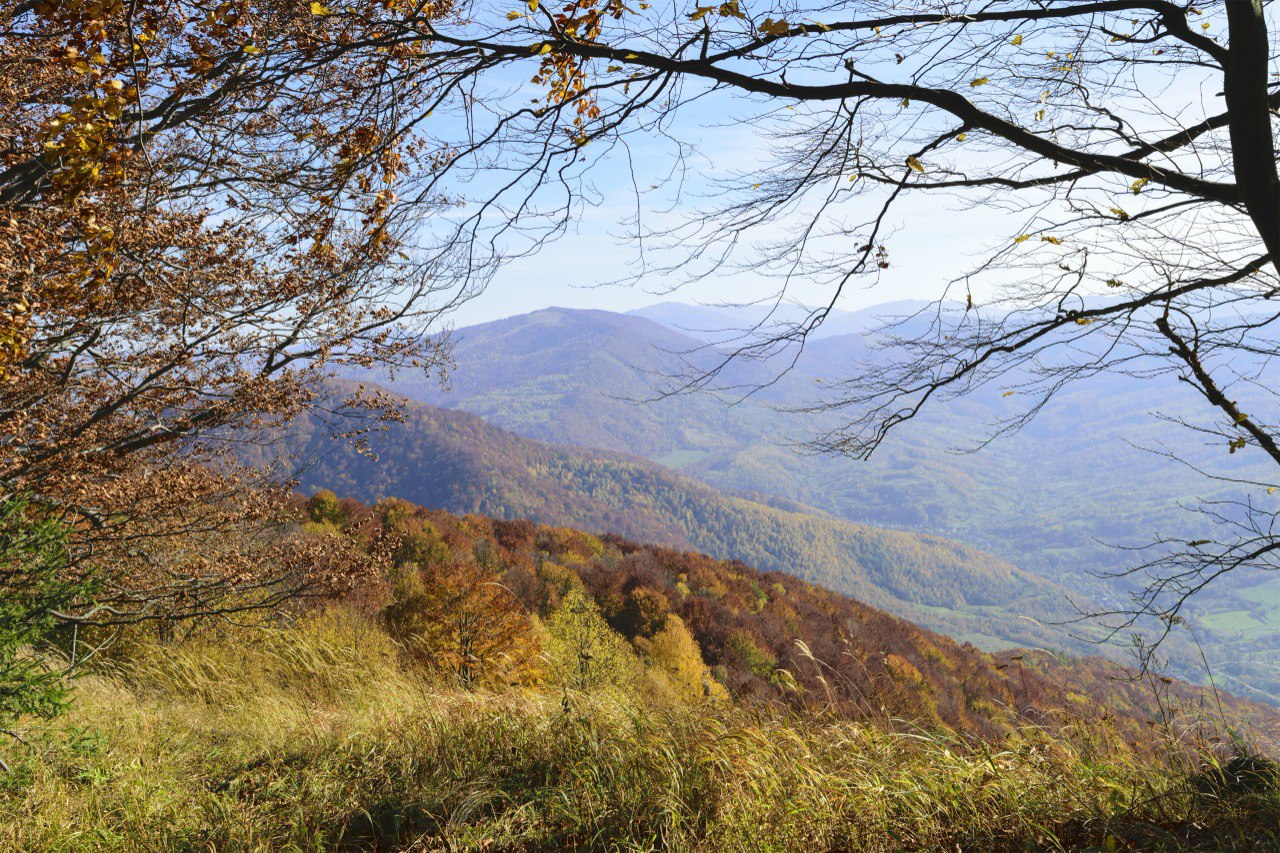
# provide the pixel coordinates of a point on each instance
(772, 636)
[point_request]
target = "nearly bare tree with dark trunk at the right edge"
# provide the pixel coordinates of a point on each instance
(1139, 222)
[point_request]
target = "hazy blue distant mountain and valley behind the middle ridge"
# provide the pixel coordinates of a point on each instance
(588, 378)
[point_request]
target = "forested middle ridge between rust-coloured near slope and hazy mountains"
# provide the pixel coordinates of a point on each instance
(456, 462)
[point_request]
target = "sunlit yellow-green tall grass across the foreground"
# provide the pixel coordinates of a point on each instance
(319, 738)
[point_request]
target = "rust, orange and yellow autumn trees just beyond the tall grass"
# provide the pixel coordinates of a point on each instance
(488, 603)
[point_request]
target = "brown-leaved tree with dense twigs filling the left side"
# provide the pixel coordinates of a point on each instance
(199, 223)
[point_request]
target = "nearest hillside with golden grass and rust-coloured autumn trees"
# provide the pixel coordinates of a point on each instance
(500, 685)
